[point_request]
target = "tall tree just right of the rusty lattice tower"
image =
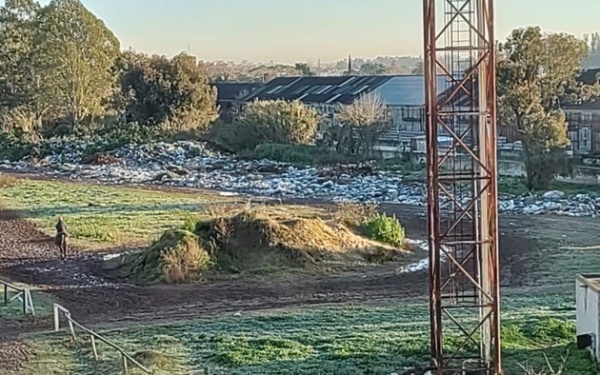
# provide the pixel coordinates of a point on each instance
(537, 74)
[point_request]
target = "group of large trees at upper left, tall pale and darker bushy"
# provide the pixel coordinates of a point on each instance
(62, 71)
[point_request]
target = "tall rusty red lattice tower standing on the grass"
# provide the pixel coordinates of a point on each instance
(462, 184)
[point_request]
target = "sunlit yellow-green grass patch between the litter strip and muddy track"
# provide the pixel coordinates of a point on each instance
(99, 216)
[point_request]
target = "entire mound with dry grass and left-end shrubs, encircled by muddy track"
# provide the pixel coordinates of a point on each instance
(261, 239)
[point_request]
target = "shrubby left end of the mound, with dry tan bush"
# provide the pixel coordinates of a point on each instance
(177, 257)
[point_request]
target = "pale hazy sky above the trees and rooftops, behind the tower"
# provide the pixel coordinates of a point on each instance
(288, 31)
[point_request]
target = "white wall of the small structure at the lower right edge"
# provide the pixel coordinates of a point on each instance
(588, 318)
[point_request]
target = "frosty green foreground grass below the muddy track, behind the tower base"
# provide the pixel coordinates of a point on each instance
(348, 341)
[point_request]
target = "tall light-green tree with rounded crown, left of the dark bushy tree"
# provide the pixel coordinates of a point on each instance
(78, 53)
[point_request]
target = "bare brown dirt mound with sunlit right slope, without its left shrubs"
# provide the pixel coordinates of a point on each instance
(250, 241)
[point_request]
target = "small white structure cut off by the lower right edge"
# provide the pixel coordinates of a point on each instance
(588, 313)
